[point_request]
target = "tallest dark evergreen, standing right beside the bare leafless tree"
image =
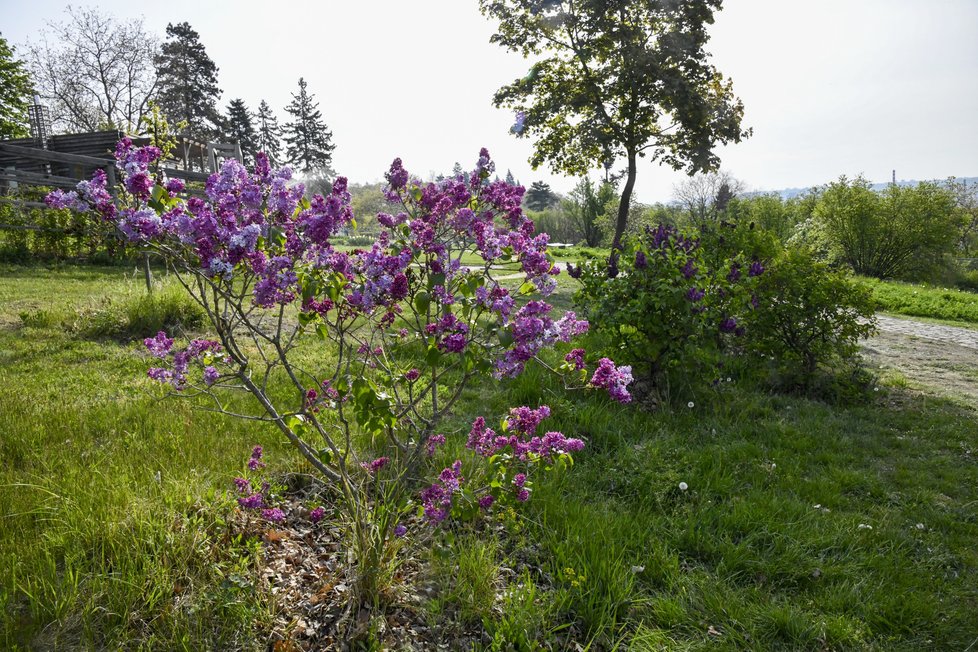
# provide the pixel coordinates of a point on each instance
(188, 90)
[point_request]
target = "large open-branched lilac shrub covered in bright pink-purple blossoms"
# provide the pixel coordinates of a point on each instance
(404, 325)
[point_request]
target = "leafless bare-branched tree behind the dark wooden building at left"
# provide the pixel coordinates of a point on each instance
(94, 71)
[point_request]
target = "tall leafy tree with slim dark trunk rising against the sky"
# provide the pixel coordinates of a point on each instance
(617, 78)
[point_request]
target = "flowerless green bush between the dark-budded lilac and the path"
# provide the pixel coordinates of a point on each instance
(809, 319)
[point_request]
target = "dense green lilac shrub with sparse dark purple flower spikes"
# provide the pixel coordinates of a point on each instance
(667, 307)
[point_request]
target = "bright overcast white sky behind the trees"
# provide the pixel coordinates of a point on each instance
(830, 87)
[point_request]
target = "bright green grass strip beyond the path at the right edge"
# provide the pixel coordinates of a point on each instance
(918, 300)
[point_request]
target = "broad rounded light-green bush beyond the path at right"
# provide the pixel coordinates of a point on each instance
(903, 232)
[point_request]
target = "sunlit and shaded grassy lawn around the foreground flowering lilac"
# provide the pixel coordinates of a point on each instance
(803, 525)
